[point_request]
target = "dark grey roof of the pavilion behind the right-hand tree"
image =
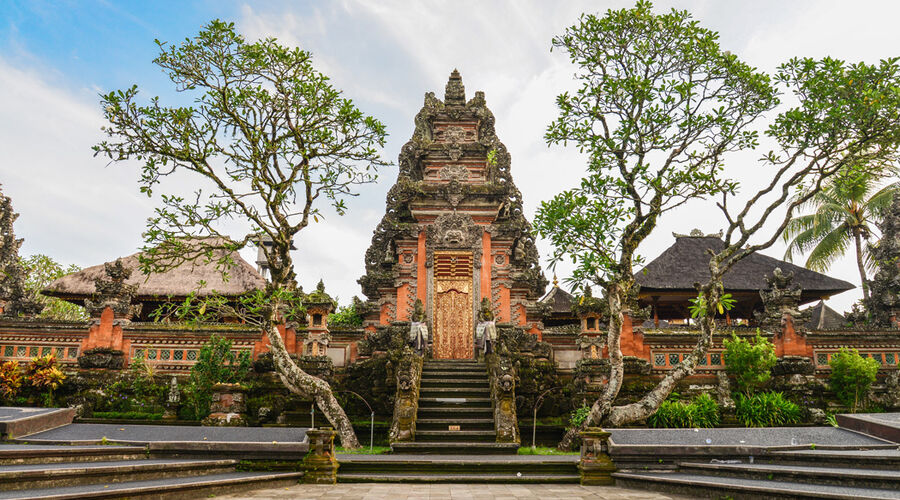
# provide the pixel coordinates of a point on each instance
(687, 262)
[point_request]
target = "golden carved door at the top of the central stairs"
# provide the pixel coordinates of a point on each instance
(453, 330)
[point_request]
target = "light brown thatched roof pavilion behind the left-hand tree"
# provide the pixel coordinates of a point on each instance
(170, 286)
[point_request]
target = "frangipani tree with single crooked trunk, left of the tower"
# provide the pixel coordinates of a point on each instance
(272, 141)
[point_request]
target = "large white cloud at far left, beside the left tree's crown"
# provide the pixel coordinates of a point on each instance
(70, 206)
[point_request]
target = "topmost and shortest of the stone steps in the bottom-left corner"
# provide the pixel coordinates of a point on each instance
(17, 454)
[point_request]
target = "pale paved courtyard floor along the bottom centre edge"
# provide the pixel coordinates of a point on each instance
(395, 491)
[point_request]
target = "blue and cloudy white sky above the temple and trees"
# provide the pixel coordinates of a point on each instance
(57, 57)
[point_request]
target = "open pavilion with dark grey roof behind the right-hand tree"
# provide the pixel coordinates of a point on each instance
(667, 282)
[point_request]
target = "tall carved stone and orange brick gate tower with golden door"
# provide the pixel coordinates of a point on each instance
(454, 231)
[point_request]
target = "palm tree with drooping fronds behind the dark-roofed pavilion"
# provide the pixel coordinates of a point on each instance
(845, 211)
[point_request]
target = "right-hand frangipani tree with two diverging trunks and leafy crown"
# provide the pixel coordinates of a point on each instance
(660, 106)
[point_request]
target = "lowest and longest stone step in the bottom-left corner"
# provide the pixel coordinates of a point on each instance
(168, 488)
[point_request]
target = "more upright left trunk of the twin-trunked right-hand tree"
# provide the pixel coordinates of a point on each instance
(601, 407)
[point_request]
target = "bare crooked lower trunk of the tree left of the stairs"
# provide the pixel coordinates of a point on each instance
(304, 384)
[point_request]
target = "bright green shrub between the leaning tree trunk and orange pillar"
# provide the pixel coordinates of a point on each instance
(750, 361)
